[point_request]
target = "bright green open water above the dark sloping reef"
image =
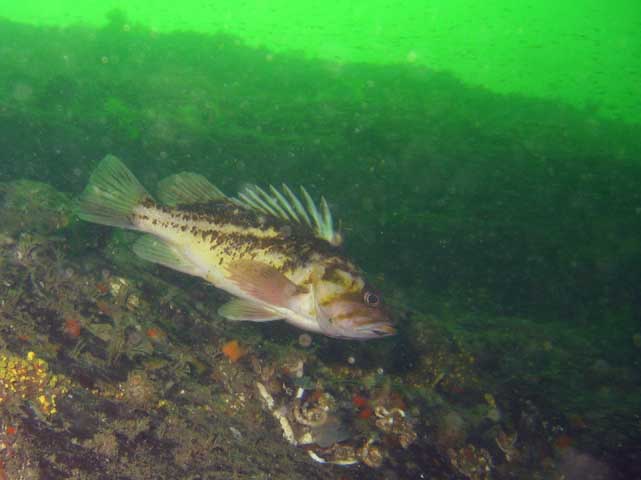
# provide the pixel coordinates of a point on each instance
(582, 53)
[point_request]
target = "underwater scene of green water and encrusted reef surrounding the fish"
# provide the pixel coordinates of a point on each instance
(484, 160)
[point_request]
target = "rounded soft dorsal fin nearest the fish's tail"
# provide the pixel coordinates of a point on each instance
(187, 188)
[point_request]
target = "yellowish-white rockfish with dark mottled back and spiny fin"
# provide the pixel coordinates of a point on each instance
(277, 253)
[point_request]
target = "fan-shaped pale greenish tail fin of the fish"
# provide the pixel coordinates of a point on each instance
(111, 195)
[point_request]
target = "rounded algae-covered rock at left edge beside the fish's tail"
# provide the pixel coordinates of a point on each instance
(35, 207)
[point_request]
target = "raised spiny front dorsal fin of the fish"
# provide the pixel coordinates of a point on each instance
(288, 206)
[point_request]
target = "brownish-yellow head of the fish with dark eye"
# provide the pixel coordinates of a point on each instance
(347, 307)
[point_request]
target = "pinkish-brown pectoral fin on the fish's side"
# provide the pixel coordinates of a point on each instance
(262, 282)
